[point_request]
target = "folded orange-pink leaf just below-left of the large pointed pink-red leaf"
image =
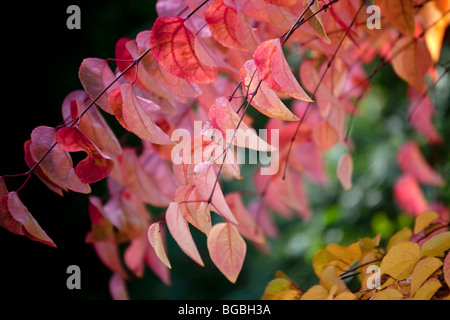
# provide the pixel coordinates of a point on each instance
(265, 100)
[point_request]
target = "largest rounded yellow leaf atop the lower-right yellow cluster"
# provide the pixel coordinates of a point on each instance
(400, 260)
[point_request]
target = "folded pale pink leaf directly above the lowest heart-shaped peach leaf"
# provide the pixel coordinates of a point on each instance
(204, 179)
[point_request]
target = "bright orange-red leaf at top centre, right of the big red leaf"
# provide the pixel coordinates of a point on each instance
(228, 28)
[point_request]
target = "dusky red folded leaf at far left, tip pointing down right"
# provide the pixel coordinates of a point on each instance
(30, 226)
